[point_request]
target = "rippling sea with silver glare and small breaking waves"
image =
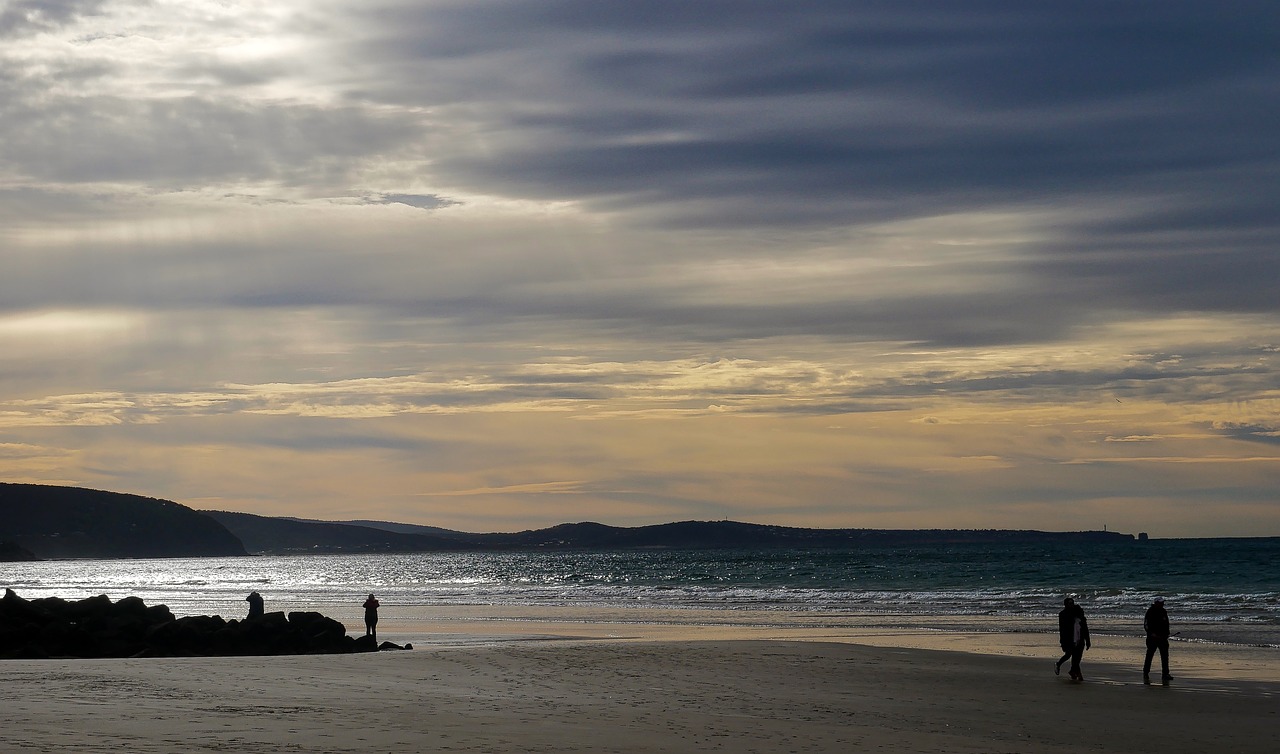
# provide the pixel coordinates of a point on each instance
(1226, 591)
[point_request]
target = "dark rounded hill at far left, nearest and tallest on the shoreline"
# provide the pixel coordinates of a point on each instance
(75, 523)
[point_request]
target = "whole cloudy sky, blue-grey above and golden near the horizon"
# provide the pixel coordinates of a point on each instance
(496, 266)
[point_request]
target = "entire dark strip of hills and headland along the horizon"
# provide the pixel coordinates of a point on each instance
(45, 522)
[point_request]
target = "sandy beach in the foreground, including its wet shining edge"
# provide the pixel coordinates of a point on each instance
(552, 680)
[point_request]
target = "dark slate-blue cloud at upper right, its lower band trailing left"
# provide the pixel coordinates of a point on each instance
(1148, 127)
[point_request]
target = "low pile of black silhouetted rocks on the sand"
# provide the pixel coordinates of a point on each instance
(94, 628)
